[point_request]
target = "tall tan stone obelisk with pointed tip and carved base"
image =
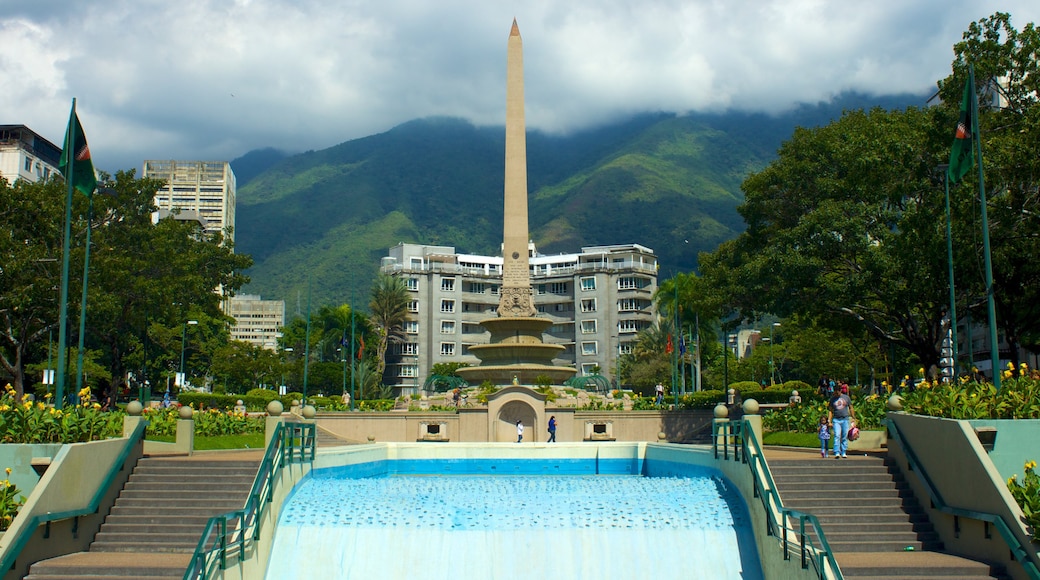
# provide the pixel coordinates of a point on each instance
(516, 299)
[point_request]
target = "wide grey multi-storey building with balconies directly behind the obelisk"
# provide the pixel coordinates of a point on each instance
(600, 301)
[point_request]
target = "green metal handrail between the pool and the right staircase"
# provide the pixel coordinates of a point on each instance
(748, 451)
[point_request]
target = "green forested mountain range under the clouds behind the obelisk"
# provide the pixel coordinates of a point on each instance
(318, 223)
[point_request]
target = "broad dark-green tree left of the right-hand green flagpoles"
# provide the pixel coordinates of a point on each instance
(846, 228)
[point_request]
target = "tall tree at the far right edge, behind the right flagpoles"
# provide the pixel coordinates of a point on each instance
(1011, 138)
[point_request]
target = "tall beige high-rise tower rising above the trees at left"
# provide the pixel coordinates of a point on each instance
(207, 189)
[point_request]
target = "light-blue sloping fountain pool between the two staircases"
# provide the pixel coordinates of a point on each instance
(507, 526)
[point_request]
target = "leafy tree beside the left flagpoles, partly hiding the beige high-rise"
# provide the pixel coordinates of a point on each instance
(185, 275)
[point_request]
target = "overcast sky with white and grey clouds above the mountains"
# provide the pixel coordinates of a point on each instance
(213, 80)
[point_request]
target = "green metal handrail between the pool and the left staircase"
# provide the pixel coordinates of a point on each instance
(292, 443)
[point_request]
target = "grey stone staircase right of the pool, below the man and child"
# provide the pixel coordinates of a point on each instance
(874, 524)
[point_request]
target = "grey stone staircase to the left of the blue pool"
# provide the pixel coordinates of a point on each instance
(159, 518)
